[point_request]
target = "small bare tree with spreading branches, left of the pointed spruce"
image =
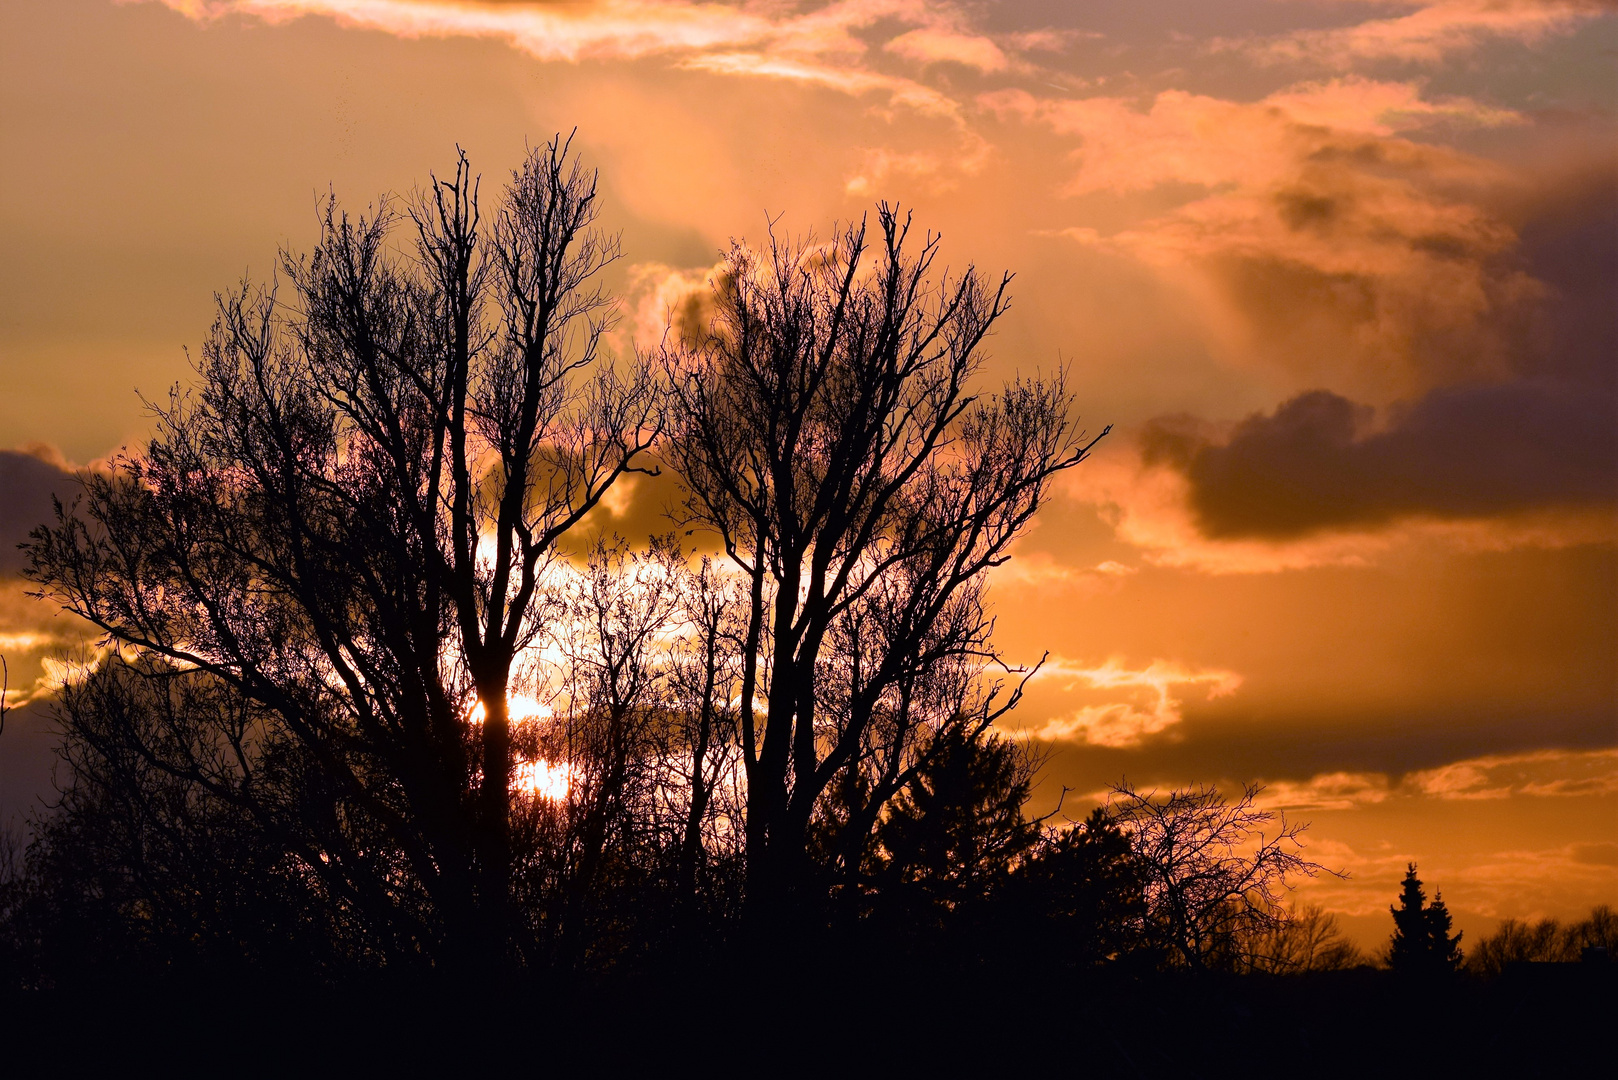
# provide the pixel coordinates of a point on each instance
(1214, 877)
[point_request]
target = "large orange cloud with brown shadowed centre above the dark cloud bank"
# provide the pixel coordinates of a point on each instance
(1308, 229)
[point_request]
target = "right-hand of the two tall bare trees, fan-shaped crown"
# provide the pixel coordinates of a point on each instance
(828, 428)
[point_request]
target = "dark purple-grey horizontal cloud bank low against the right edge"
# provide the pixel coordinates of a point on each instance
(1462, 453)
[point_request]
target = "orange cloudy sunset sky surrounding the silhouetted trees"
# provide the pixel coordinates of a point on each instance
(1341, 274)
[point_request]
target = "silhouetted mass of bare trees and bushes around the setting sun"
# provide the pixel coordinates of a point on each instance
(376, 700)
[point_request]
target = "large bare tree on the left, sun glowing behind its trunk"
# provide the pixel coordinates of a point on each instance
(347, 524)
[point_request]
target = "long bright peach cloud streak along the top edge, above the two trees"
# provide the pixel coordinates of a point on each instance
(879, 51)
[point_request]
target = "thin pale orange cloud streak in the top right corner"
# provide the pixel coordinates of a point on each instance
(1430, 35)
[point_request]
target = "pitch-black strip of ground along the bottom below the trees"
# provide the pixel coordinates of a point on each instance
(1549, 1021)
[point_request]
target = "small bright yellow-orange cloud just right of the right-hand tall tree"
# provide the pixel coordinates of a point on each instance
(1135, 704)
